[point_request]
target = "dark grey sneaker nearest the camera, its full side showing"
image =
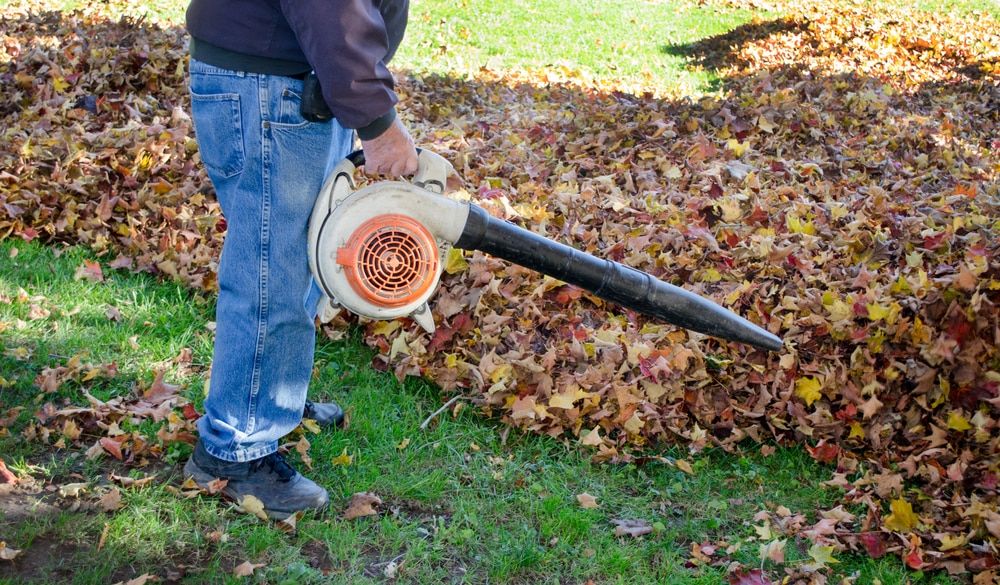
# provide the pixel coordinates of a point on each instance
(270, 479)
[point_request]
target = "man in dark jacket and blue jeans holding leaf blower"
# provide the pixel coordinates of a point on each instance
(267, 162)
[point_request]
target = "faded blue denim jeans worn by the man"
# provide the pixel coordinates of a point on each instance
(267, 165)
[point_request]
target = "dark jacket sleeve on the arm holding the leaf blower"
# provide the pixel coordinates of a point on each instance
(347, 43)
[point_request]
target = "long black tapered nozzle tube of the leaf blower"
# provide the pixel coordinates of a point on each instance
(609, 280)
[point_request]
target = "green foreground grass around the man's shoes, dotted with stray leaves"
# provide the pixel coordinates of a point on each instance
(462, 503)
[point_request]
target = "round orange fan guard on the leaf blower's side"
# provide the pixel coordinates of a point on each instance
(391, 260)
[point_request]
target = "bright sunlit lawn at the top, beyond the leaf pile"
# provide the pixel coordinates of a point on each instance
(617, 41)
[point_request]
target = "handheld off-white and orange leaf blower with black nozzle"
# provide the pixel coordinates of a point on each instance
(378, 252)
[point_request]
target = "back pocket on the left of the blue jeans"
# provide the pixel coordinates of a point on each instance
(220, 132)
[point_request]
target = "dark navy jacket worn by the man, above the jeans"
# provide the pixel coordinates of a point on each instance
(347, 42)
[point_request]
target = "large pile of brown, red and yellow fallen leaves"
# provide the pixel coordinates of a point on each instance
(842, 191)
